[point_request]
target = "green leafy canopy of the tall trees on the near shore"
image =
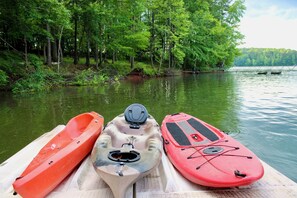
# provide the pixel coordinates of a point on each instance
(190, 33)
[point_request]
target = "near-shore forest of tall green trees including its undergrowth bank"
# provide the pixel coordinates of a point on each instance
(42, 41)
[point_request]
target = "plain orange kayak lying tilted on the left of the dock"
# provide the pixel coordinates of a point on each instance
(60, 156)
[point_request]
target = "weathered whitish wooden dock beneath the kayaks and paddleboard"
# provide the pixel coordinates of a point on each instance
(164, 182)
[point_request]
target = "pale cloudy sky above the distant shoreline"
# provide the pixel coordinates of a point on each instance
(270, 24)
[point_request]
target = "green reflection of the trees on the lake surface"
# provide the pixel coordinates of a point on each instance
(25, 117)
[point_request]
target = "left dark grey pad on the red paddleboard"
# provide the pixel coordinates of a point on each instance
(178, 135)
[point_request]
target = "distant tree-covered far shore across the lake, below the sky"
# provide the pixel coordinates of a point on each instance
(266, 57)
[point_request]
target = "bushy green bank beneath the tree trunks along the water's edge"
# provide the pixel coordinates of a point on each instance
(18, 77)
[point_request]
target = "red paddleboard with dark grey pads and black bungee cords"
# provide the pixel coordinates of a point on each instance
(205, 155)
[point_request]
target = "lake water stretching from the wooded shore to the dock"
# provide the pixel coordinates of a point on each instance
(258, 110)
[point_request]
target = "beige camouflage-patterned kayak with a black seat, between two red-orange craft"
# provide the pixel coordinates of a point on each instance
(129, 148)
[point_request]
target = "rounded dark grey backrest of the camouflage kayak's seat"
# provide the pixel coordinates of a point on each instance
(135, 115)
